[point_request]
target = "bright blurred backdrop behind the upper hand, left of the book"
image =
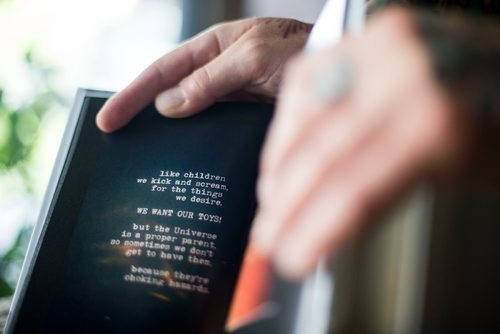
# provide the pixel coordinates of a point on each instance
(52, 47)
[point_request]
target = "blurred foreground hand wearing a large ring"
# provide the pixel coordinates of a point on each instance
(331, 162)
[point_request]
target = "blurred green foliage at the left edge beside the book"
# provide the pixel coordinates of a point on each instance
(19, 130)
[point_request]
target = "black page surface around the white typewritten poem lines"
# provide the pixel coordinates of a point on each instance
(76, 285)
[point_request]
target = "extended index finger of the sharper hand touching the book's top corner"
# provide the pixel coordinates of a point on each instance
(164, 73)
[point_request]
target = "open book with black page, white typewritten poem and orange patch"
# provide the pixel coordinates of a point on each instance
(145, 229)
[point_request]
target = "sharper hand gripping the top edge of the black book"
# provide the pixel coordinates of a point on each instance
(240, 60)
